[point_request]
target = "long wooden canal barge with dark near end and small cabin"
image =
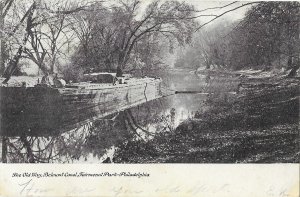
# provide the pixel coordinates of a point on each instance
(44, 110)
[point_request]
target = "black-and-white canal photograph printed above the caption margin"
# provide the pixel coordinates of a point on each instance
(149, 82)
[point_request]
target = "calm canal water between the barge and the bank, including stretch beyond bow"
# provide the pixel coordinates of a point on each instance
(96, 142)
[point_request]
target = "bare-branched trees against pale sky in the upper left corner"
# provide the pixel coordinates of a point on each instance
(45, 31)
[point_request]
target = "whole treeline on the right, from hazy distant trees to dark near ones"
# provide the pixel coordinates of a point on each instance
(266, 38)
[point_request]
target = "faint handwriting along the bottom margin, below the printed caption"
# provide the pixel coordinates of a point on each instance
(30, 188)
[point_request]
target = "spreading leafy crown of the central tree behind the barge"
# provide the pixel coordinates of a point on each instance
(111, 42)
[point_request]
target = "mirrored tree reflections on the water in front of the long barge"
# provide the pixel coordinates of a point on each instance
(93, 142)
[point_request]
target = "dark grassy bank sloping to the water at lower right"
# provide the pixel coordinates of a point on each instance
(257, 124)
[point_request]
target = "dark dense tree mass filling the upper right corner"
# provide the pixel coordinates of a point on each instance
(267, 36)
